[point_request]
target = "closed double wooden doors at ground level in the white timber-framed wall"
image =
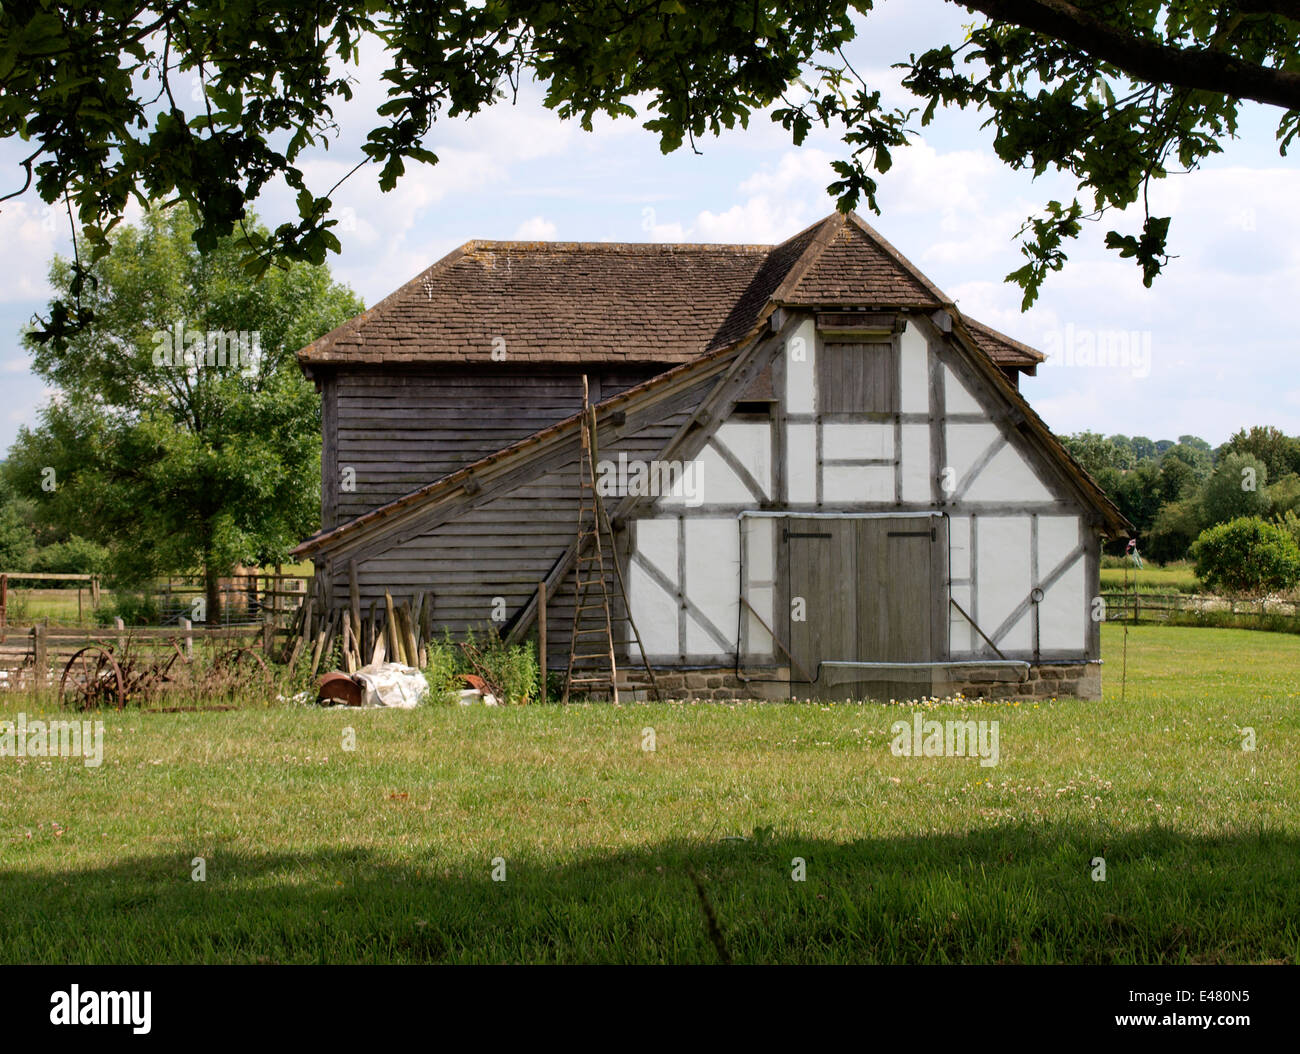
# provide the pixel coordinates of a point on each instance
(872, 591)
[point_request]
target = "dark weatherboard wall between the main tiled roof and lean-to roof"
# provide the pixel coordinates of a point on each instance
(391, 432)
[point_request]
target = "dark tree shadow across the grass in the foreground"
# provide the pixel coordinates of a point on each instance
(1013, 893)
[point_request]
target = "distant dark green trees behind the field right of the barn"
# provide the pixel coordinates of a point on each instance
(1173, 492)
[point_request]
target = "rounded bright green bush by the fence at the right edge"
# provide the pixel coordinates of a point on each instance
(1247, 557)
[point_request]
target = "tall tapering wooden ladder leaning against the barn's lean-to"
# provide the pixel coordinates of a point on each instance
(593, 666)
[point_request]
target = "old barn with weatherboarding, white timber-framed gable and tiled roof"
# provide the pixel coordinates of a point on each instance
(820, 476)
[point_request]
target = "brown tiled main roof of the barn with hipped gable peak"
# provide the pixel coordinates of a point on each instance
(605, 302)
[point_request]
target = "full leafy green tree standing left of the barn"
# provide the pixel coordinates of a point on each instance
(184, 433)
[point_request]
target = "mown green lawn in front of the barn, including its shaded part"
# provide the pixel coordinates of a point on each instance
(387, 853)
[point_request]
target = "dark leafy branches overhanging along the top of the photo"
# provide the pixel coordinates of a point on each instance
(1111, 93)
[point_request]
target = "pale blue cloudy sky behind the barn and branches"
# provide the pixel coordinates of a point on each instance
(1211, 349)
